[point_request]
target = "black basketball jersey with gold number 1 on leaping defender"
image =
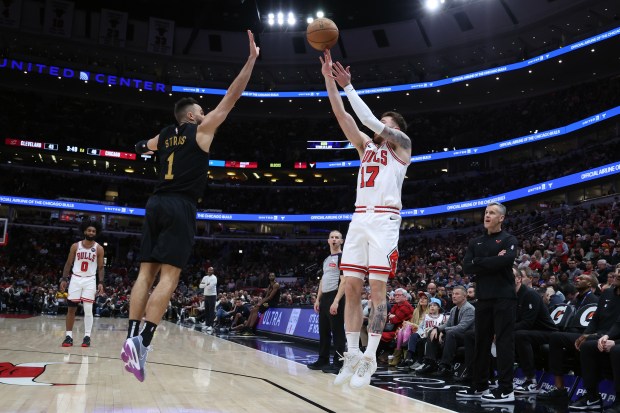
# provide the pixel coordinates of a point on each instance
(183, 165)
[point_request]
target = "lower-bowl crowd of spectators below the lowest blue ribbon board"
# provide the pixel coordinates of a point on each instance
(32, 262)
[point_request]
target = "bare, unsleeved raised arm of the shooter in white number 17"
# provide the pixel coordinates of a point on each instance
(345, 120)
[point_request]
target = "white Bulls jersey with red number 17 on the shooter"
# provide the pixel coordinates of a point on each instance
(380, 177)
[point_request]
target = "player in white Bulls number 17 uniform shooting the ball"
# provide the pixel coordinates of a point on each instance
(372, 239)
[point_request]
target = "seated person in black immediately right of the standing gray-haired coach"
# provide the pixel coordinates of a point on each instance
(532, 329)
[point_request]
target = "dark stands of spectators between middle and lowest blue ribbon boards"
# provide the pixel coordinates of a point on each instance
(417, 191)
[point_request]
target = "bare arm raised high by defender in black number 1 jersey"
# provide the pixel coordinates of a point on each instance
(217, 116)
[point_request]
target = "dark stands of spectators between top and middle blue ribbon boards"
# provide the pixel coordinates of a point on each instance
(285, 140)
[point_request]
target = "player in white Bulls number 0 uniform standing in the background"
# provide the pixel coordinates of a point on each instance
(84, 263)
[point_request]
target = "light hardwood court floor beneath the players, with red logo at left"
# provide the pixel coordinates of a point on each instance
(188, 371)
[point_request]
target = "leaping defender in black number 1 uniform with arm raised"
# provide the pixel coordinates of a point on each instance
(170, 221)
